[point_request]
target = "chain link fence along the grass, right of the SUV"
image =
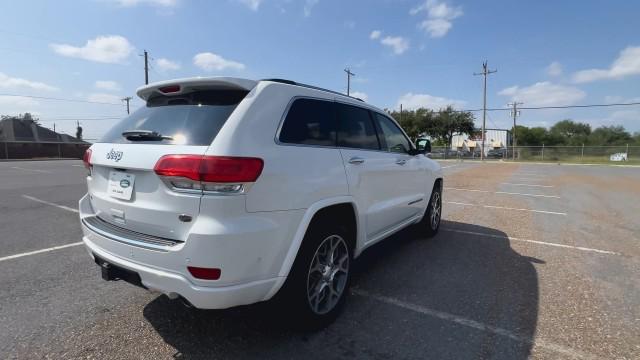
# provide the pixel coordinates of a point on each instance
(624, 154)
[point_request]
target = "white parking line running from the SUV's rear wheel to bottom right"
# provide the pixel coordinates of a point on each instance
(459, 320)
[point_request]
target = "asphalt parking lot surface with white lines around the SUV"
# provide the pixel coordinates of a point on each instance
(532, 261)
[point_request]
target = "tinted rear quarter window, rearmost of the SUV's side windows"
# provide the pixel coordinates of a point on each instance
(309, 122)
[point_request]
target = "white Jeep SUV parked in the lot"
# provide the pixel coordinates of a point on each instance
(226, 191)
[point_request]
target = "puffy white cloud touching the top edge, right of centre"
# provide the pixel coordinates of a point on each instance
(439, 17)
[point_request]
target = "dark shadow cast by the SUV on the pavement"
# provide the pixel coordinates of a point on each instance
(457, 295)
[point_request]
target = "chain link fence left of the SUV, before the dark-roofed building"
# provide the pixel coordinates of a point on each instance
(10, 150)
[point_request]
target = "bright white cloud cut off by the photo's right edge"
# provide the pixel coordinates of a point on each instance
(627, 64)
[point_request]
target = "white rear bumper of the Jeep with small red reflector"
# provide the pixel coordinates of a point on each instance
(250, 255)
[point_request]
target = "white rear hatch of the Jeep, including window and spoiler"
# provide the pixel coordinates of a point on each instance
(177, 119)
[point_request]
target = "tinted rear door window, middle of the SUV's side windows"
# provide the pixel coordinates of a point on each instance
(355, 128)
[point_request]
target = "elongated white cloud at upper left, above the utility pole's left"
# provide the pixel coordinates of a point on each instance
(105, 49)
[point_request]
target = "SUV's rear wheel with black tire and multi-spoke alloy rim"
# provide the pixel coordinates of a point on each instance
(317, 285)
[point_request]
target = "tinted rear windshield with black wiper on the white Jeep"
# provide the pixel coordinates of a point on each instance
(187, 119)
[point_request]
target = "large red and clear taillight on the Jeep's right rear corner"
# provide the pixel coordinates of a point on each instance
(225, 174)
